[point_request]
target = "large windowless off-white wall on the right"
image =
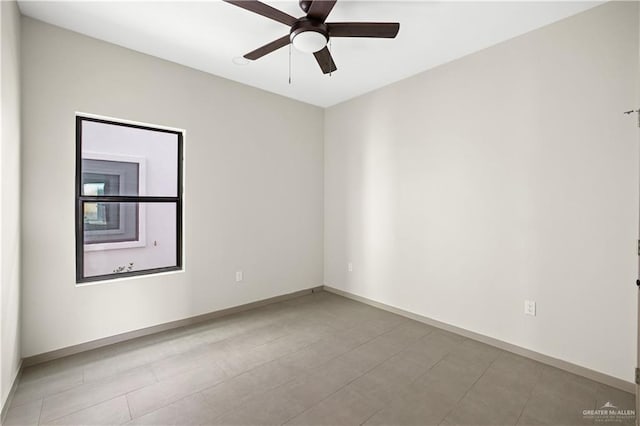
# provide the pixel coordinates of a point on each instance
(507, 175)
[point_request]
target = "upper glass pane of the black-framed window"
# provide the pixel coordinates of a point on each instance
(129, 161)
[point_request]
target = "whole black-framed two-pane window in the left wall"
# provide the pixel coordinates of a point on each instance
(128, 199)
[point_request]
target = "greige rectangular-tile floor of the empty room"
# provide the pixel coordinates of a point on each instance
(317, 359)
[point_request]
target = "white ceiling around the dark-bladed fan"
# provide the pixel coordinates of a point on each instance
(208, 35)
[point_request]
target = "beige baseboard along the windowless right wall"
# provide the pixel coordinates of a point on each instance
(536, 356)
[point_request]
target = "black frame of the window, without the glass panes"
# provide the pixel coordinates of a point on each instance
(81, 199)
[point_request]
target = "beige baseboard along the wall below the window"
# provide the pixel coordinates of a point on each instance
(99, 343)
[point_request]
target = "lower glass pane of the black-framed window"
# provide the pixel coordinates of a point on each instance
(127, 237)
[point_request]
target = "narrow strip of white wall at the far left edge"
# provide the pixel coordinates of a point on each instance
(9, 196)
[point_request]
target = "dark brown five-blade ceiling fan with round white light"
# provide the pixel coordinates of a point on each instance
(311, 33)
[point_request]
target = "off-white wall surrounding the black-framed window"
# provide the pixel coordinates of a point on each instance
(253, 195)
